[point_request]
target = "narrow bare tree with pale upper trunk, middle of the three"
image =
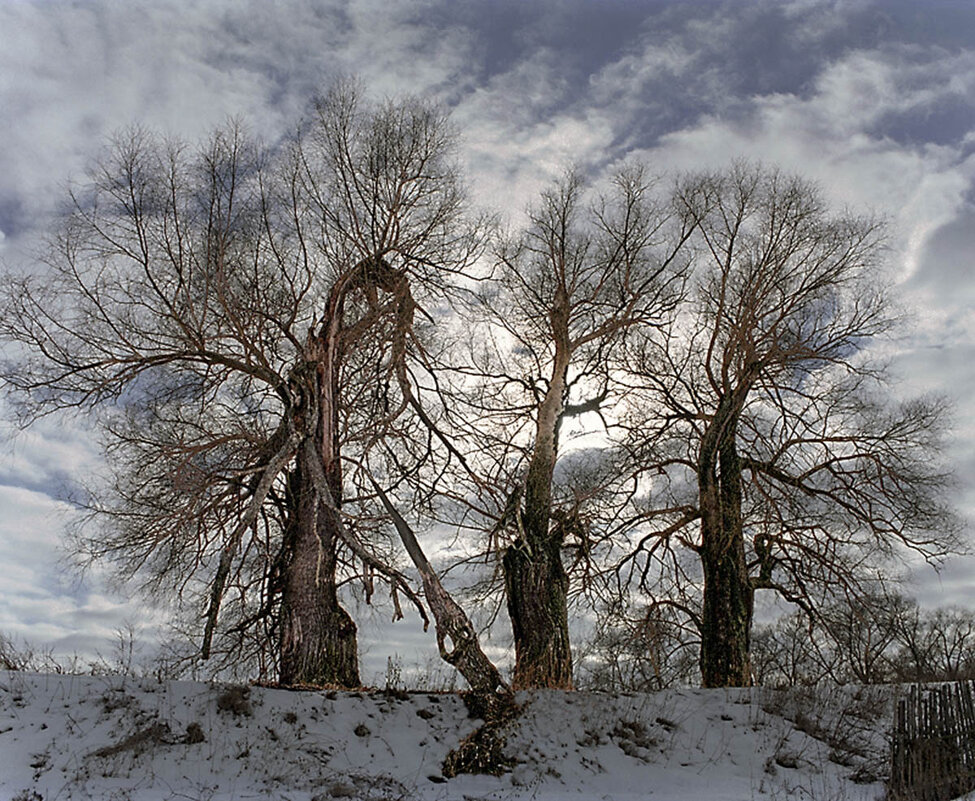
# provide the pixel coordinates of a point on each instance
(565, 292)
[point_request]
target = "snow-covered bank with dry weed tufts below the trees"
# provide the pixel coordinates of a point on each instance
(72, 737)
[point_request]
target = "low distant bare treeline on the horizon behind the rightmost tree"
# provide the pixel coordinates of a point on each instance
(877, 639)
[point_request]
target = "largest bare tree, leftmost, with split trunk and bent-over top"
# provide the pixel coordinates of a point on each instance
(238, 321)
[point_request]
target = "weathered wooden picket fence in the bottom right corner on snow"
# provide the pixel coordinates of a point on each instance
(933, 743)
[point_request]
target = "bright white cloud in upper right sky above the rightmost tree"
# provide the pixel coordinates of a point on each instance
(829, 137)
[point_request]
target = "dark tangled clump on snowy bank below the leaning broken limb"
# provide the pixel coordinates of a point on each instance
(482, 751)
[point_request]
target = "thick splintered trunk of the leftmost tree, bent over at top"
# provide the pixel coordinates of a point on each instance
(318, 638)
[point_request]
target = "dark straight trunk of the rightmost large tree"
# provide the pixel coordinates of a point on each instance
(726, 618)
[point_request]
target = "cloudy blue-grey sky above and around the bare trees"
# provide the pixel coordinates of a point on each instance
(873, 99)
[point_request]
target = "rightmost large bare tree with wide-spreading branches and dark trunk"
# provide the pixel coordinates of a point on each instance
(771, 436)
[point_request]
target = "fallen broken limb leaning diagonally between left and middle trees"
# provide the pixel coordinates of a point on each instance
(451, 621)
